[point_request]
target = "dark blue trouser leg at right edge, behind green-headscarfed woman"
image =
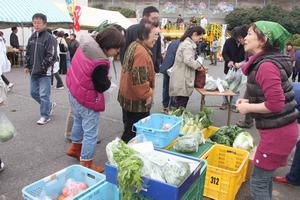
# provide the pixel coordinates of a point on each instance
(294, 175)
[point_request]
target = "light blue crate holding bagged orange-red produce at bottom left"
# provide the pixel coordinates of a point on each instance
(53, 185)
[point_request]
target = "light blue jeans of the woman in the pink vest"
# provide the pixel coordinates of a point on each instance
(85, 128)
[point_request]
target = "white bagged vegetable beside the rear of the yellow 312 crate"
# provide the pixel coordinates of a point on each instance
(244, 140)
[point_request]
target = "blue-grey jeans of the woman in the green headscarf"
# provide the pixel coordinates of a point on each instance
(261, 184)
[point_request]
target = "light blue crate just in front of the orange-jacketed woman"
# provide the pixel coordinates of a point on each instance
(150, 129)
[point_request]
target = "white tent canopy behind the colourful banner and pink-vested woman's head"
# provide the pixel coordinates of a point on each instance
(92, 17)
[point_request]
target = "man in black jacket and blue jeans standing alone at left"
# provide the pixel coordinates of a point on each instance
(41, 54)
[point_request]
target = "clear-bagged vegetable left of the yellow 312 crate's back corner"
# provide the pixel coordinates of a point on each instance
(187, 144)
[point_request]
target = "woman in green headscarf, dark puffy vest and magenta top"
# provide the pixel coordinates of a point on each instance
(270, 102)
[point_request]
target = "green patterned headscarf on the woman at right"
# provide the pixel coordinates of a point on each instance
(274, 32)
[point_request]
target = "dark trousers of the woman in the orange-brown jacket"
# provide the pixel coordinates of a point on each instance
(129, 118)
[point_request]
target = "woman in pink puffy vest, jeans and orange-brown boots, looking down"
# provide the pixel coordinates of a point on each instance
(87, 79)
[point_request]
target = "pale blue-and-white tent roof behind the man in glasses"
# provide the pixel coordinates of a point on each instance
(20, 12)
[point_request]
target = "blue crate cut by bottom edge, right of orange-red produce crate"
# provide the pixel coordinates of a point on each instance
(105, 191)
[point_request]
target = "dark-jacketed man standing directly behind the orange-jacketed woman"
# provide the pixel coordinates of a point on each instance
(150, 14)
